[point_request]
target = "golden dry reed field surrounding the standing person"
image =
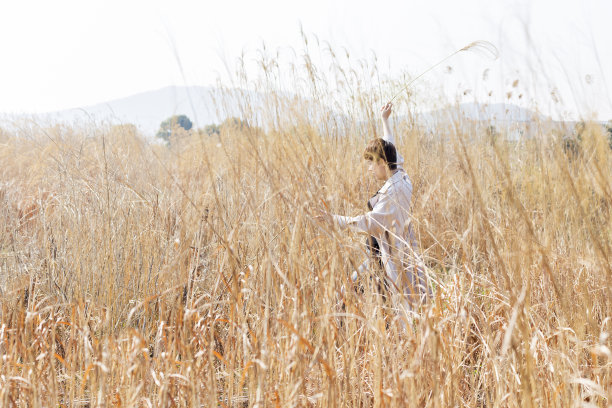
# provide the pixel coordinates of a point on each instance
(136, 274)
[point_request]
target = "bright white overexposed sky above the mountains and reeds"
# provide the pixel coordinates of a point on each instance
(67, 53)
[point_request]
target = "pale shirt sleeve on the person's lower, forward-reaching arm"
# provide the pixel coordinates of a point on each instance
(374, 222)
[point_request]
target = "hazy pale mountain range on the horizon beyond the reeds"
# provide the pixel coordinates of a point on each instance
(206, 105)
